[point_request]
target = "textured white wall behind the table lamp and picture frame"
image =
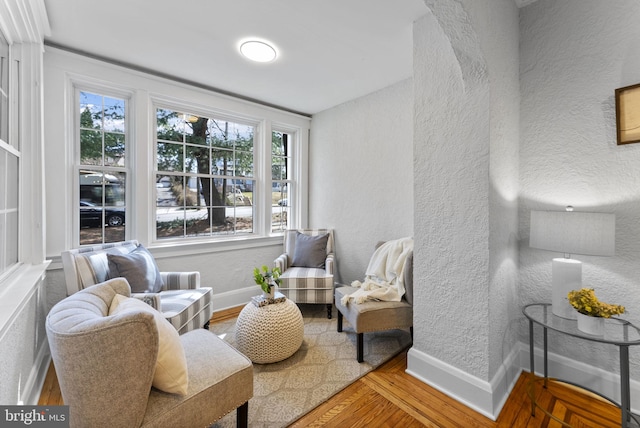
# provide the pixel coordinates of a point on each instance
(574, 54)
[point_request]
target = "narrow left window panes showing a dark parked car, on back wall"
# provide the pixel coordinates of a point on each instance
(102, 175)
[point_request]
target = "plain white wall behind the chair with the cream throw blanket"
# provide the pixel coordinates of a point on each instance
(361, 179)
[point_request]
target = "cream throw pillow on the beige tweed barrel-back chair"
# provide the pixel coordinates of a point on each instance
(171, 366)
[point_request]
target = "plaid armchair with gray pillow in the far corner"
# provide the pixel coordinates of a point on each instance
(307, 266)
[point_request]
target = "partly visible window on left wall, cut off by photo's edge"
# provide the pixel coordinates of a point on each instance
(9, 160)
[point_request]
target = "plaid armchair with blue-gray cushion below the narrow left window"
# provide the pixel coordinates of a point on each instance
(177, 295)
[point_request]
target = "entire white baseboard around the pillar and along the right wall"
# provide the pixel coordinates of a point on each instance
(488, 398)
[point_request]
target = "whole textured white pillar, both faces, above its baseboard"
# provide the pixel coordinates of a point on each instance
(466, 174)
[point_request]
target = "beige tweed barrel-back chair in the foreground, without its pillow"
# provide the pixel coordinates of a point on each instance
(106, 365)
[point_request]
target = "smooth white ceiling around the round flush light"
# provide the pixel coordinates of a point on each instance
(330, 51)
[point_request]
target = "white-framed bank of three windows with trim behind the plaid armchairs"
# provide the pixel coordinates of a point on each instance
(171, 166)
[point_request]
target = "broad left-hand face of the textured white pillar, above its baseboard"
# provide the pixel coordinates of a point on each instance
(451, 170)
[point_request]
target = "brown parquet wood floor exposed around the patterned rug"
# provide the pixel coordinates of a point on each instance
(389, 397)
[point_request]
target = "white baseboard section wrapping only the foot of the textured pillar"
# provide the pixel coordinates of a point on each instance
(486, 398)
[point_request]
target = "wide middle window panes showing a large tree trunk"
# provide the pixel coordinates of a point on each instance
(204, 176)
